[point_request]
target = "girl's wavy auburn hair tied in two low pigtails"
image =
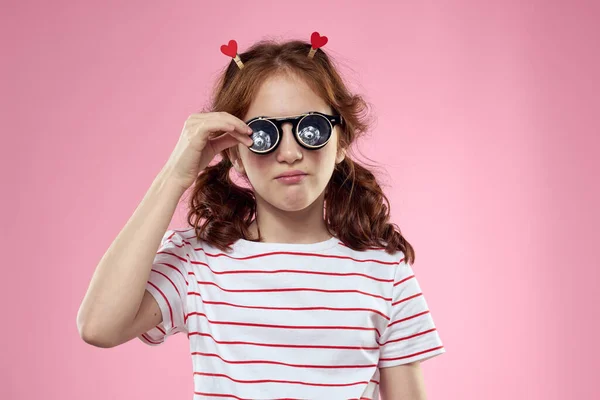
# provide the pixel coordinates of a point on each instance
(356, 210)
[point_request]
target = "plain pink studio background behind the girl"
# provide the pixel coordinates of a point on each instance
(487, 127)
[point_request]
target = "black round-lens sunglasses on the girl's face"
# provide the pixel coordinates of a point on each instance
(312, 130)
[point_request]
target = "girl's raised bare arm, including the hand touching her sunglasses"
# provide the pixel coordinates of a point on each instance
(116, 307)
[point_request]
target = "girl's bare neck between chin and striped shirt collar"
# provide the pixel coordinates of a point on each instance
(279, 226)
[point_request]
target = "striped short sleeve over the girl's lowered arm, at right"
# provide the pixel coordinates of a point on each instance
(411, 334)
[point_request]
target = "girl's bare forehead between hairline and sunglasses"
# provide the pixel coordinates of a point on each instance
(283, 95)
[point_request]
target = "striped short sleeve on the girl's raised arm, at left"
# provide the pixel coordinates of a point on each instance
(168, 285)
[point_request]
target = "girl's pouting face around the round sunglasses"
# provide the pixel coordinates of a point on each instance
(279, 96)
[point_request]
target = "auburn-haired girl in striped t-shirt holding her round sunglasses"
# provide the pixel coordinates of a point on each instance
(292, 285)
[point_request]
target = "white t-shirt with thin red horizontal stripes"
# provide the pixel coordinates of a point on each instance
(276, 320)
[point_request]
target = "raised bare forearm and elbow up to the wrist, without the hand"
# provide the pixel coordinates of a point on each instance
(108, 315)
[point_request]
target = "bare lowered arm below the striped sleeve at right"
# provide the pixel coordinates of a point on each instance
(402, 382)
